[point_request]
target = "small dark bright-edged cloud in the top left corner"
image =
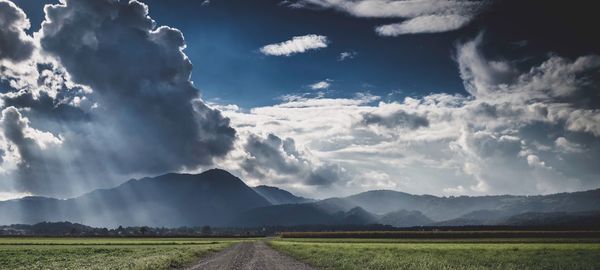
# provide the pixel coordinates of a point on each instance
(15, 45)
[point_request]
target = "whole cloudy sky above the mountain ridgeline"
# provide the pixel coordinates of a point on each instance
(319, 97)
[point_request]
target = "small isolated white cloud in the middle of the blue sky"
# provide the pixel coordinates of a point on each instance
(298, 44)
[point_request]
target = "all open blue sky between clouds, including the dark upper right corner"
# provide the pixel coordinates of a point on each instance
(224, 37)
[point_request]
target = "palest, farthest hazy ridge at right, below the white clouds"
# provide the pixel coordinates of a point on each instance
(446, 208)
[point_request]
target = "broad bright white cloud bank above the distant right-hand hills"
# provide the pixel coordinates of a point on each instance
(521, 130)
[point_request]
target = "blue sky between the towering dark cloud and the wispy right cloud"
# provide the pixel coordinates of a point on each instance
(224, 37)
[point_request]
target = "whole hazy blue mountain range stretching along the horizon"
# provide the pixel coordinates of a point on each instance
(217, 198)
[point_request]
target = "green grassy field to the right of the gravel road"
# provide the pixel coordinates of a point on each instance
(517, 254)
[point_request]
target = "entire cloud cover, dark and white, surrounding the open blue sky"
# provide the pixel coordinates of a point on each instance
(101, 94)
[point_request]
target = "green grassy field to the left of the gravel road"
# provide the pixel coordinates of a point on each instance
(105, 253)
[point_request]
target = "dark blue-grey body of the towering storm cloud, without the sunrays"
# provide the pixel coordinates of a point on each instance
(141, 80)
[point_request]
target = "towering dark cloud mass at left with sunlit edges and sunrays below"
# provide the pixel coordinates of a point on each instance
(115, 90)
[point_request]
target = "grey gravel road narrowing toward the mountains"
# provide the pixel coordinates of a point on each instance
(254, 255)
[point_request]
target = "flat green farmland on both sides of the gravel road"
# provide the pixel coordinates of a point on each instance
(366, 250)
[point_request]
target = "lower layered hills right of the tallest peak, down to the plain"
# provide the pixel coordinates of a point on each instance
(406, 210)
